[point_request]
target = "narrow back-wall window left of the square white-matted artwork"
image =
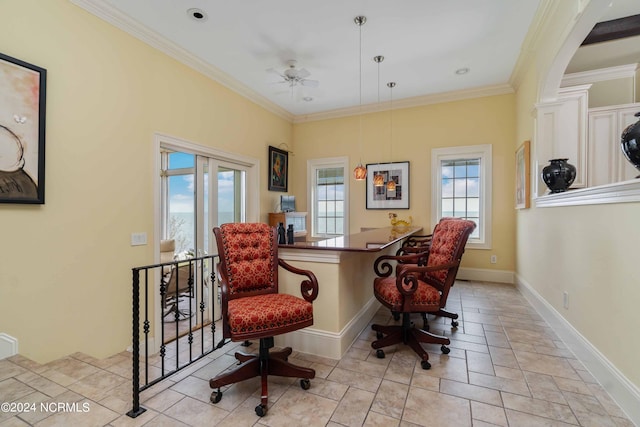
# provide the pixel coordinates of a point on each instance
(328, 196)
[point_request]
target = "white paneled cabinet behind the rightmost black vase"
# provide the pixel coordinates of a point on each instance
(606, 162)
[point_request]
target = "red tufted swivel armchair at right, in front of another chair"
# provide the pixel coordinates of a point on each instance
(420, 288)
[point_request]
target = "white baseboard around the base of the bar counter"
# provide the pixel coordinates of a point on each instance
(329, 344)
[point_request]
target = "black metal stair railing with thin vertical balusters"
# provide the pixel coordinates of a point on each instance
(186, 315)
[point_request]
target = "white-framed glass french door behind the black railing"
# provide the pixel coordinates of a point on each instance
(200, 188)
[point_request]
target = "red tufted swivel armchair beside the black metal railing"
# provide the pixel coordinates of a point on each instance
(252, 308)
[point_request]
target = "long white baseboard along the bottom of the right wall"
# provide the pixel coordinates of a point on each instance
(623, 391)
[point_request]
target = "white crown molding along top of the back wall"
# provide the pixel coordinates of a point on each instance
(416, 101)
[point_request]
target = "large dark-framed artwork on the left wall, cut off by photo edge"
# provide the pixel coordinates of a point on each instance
(22, 130)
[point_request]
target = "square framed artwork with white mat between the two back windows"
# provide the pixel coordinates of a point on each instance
(380, 197)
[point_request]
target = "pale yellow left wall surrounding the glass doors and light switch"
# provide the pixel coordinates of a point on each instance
(65, 275)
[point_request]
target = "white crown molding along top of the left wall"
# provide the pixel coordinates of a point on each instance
(116, 18)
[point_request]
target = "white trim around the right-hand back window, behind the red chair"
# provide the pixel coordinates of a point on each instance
(484, 152)
